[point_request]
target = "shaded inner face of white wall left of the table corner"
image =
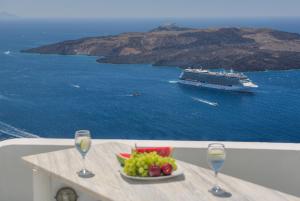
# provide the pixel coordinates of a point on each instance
(15, 176)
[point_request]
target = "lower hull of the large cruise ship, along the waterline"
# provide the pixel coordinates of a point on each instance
(219, 87)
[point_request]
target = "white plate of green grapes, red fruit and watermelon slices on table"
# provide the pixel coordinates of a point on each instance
(149, 163)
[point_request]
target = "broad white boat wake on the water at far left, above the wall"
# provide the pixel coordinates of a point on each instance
(6, 129)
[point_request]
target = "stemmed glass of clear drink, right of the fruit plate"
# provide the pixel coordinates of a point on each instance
(216, 156)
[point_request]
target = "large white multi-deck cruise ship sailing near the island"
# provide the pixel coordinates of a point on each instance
(217, 80)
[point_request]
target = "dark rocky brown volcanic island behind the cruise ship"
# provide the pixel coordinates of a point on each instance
(240, 49)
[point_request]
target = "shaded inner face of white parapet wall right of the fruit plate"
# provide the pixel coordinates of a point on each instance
(277, 169)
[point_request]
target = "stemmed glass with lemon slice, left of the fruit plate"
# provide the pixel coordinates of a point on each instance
(83, 144)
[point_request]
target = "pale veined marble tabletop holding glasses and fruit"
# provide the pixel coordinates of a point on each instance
(109, 185)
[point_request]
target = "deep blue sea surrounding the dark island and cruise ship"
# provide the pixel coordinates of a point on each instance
(52, 95)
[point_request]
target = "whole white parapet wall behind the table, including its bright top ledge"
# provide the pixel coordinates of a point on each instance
(270, 164)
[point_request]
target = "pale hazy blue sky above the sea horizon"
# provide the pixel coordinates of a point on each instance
(150, 8)
